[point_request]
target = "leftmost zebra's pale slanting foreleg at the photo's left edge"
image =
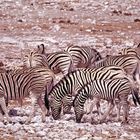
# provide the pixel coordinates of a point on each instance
(3, 107)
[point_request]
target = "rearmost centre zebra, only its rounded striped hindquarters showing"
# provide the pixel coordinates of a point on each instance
(83, 56)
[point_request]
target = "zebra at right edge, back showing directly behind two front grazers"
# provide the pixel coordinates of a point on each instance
(130, 63)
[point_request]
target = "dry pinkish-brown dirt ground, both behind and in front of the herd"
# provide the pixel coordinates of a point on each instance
(107, 25)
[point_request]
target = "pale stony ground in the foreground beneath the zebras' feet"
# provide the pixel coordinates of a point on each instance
(67, 129)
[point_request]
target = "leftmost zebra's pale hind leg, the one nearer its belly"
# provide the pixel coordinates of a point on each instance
(33, 103)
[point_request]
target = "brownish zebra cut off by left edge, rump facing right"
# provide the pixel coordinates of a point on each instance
(18, 84)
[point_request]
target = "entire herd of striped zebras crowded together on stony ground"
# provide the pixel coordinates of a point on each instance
(86, 75)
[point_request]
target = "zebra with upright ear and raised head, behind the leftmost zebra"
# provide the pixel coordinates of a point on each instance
(58, 61)
